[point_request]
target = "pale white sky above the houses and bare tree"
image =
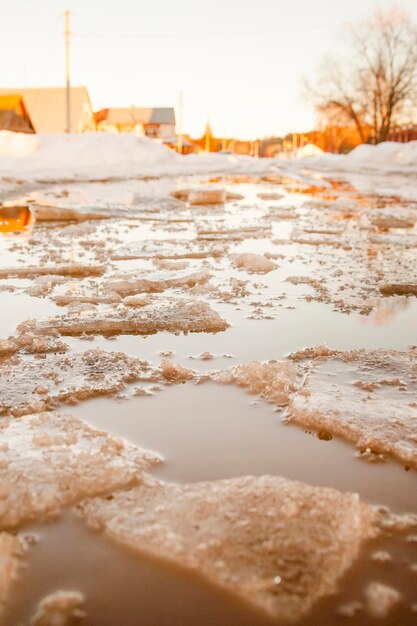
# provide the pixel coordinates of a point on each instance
(238, 63)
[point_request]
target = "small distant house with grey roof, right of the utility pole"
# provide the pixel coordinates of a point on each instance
(158, 123)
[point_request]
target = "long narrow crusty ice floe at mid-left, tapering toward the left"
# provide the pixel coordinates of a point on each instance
(173, 315)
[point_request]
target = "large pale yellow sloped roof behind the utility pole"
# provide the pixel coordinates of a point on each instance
(47, 108)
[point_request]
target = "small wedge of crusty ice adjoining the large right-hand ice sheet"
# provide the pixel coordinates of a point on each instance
(273, 380)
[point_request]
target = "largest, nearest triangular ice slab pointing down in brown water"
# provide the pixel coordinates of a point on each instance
(277, 544)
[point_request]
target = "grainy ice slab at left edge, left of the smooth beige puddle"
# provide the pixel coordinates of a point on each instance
(49, 460)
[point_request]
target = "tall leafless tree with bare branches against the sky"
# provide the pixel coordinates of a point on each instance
(374, 84)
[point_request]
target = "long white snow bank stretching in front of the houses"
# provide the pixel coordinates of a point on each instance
(92, 156)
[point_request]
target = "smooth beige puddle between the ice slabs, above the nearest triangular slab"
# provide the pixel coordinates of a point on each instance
(226, 433)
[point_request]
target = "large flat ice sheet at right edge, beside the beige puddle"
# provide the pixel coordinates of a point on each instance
(365, 396)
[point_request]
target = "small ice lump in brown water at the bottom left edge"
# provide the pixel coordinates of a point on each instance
(61, 608)
